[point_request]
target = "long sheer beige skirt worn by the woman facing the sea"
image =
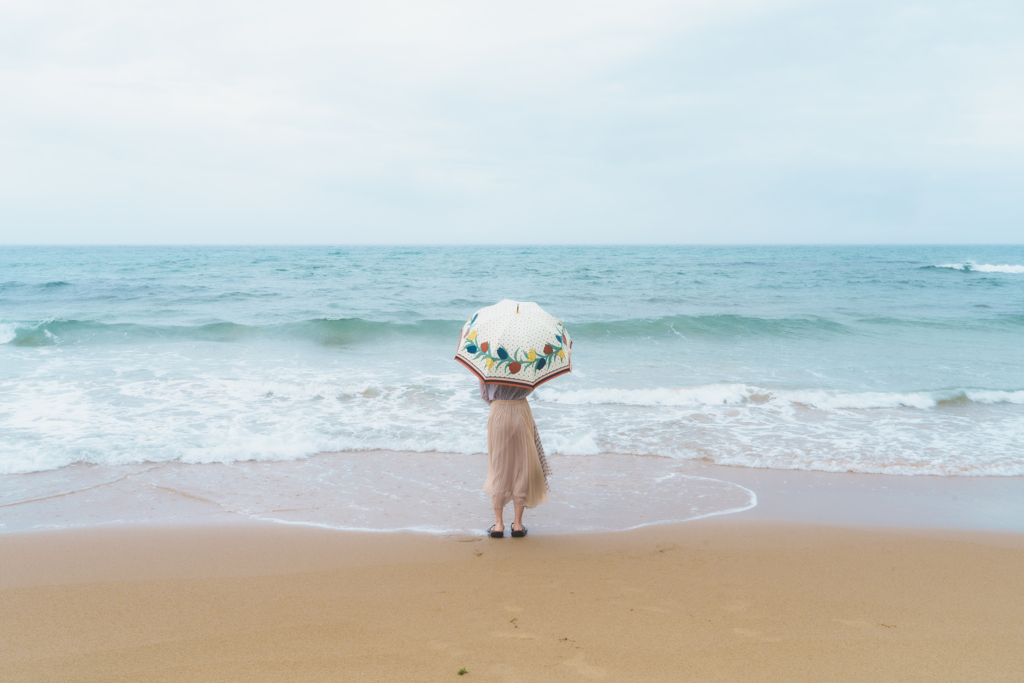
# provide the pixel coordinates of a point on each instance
(515, 469)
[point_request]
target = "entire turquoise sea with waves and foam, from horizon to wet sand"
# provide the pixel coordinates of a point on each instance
(892, 360)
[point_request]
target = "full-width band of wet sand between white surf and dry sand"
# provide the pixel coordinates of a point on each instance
(440, 494)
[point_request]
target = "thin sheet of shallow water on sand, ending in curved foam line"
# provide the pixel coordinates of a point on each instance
(365, 492)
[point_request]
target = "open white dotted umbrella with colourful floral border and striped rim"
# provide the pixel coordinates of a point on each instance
(516, 344)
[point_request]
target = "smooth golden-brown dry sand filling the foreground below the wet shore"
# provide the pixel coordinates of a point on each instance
(715, 601)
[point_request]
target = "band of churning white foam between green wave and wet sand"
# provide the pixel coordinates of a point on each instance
(116, 407)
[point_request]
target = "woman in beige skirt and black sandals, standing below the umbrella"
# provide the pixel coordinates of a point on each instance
(518, 468)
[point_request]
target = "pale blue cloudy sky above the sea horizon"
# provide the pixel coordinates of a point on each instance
(477, 122)
